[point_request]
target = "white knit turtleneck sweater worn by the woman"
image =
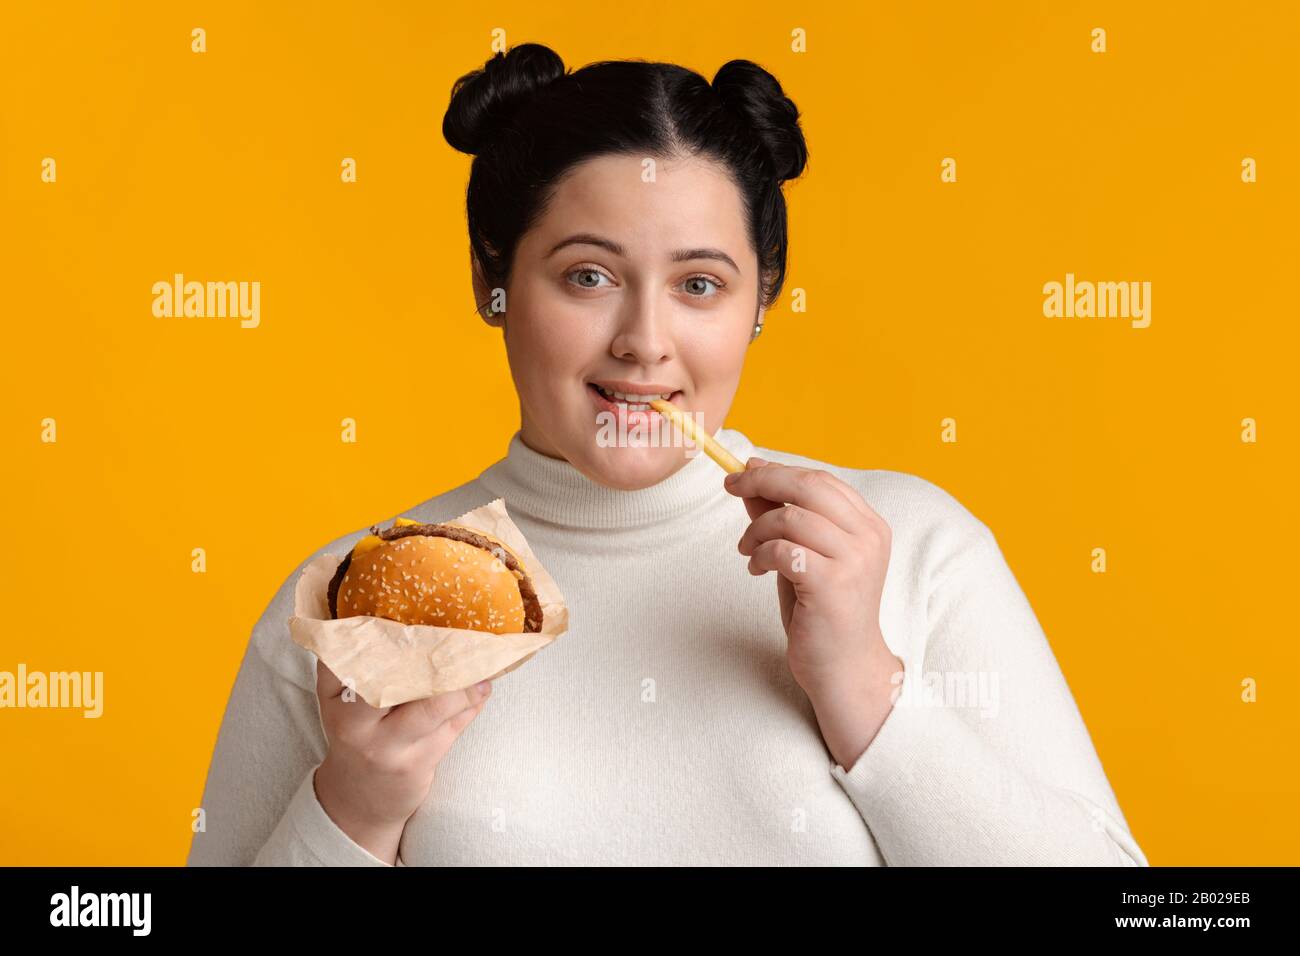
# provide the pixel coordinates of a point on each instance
(665, 728)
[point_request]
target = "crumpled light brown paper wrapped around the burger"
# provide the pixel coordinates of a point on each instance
(389, 663)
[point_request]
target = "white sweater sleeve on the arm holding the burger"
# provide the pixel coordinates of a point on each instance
(259, 803)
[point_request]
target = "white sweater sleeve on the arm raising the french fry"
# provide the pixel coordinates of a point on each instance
(985, 759)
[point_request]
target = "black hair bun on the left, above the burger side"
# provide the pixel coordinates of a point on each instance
(484, 102)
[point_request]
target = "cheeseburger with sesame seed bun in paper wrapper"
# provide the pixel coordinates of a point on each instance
(444, 576)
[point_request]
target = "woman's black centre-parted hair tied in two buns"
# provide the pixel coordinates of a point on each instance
(527, 122)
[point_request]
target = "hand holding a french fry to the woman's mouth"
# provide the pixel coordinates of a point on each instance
(830, 551)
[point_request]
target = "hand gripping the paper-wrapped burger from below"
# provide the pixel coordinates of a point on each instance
(382, 762)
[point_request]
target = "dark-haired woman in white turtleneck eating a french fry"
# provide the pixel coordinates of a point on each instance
(804, 664)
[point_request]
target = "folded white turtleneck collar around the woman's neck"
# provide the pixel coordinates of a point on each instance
(554, 491)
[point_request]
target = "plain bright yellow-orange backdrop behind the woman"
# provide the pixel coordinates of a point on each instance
(925, 302)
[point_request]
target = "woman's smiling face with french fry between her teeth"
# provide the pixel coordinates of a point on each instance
(651, 287)
